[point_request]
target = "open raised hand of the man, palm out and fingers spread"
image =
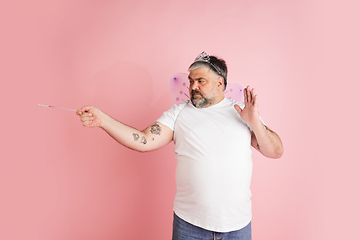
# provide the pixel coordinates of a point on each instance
(250, 111)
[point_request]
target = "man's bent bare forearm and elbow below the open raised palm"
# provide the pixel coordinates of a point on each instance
(266, 141)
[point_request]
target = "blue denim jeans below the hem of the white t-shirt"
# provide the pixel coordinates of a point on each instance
(185, 231)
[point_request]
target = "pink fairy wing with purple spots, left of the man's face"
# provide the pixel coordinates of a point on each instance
(179, 86)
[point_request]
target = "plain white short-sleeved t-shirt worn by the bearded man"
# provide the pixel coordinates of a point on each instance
(214, 165)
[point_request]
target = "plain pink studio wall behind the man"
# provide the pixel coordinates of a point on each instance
(59, 180)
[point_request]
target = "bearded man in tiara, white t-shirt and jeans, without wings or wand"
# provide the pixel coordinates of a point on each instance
(213, 136)
